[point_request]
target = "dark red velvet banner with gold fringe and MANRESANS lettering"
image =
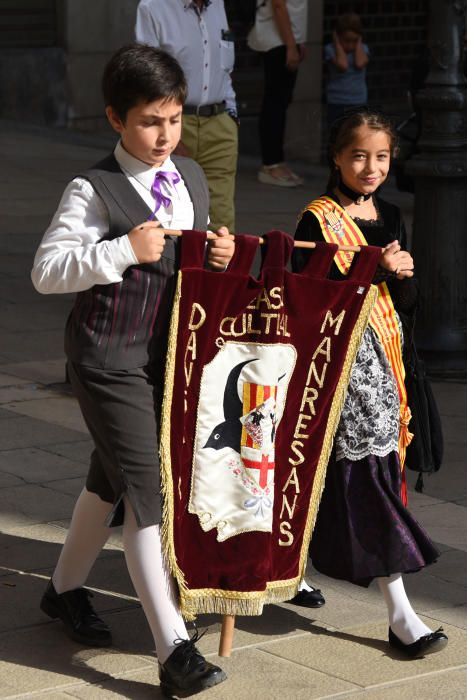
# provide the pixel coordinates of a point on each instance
(256, 375)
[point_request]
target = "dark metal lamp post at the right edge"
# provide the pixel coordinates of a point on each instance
(440, 215)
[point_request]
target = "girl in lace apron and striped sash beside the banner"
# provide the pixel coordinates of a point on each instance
(363, 530)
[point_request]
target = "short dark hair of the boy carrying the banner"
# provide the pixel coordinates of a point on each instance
(141, 73)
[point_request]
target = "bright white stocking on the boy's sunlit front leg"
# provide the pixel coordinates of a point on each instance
(153, 583)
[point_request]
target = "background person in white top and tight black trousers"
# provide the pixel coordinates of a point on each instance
(279, 33)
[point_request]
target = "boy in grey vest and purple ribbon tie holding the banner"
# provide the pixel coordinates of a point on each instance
(105, 244)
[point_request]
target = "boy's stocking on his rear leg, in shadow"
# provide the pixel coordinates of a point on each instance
(86, 537)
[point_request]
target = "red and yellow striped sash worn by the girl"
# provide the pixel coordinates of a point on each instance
(338, 227)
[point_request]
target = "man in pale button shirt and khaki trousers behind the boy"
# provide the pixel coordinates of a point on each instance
(196, 33)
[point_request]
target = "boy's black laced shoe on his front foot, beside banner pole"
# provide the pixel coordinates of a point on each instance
(186, 671)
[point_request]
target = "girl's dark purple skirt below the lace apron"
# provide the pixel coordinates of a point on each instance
(363, 530)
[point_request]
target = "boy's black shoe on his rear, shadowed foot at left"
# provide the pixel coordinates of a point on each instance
(77, 614)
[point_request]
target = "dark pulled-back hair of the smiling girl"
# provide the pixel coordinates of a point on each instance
(342, 133)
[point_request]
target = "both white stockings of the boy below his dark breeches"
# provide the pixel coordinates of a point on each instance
(149, 573)
